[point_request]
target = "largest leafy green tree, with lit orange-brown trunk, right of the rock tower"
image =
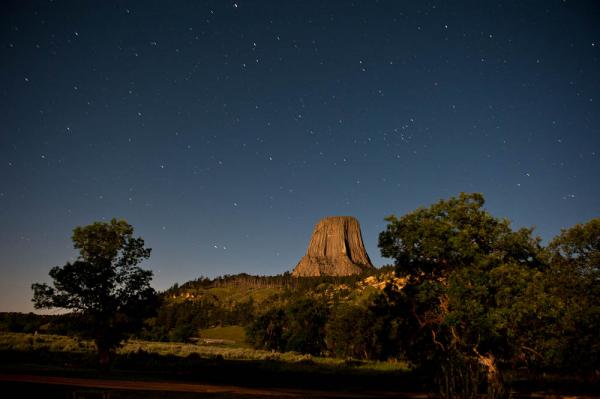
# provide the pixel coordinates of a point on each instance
(457, 326)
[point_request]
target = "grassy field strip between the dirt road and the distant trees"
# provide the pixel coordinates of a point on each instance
(213, 364)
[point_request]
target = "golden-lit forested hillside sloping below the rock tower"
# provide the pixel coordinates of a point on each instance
(239, 299)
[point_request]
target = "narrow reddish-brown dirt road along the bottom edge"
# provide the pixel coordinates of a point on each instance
(168, 386)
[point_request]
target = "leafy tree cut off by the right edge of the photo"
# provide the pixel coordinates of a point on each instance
(573, 283)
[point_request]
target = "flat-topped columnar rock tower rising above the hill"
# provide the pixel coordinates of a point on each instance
(336, 249)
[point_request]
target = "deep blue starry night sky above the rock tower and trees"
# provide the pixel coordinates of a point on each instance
(223, 131)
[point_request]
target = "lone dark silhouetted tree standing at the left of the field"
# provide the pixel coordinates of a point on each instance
(104, 286)
